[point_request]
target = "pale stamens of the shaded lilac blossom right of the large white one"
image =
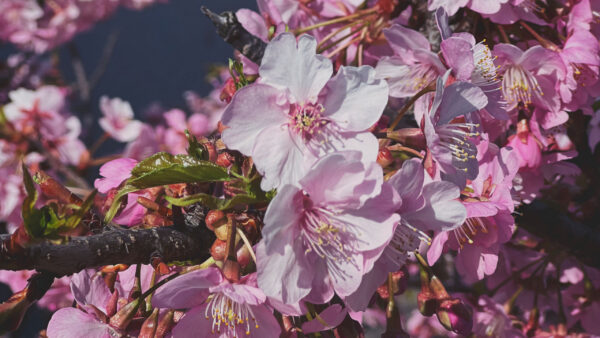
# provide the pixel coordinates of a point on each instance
(455, 137)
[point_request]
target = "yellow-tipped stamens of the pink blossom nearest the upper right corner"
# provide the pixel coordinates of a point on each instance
(519, 85)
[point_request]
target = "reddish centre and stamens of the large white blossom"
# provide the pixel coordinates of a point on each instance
(307, 119)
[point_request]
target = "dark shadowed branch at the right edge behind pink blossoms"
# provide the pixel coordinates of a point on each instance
(580, 240)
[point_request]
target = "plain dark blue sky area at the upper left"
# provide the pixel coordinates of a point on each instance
(161, 52)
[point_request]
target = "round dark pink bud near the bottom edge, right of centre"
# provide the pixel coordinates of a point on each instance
(455, 316)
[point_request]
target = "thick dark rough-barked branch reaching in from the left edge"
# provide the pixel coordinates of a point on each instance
(119, 246)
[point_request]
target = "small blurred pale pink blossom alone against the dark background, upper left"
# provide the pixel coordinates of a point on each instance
(118, 120)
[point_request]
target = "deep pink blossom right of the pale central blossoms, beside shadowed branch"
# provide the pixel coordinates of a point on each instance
(489, 223)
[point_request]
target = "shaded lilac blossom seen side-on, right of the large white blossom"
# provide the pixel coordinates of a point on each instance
(450, 143)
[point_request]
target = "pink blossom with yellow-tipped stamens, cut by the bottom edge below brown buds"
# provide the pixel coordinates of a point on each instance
(217, 307)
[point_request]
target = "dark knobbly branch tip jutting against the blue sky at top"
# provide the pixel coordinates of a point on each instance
(230, 29)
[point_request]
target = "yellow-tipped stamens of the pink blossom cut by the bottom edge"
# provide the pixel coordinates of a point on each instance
(229, 313)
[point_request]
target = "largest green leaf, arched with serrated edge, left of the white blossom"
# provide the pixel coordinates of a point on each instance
(162, 169)
